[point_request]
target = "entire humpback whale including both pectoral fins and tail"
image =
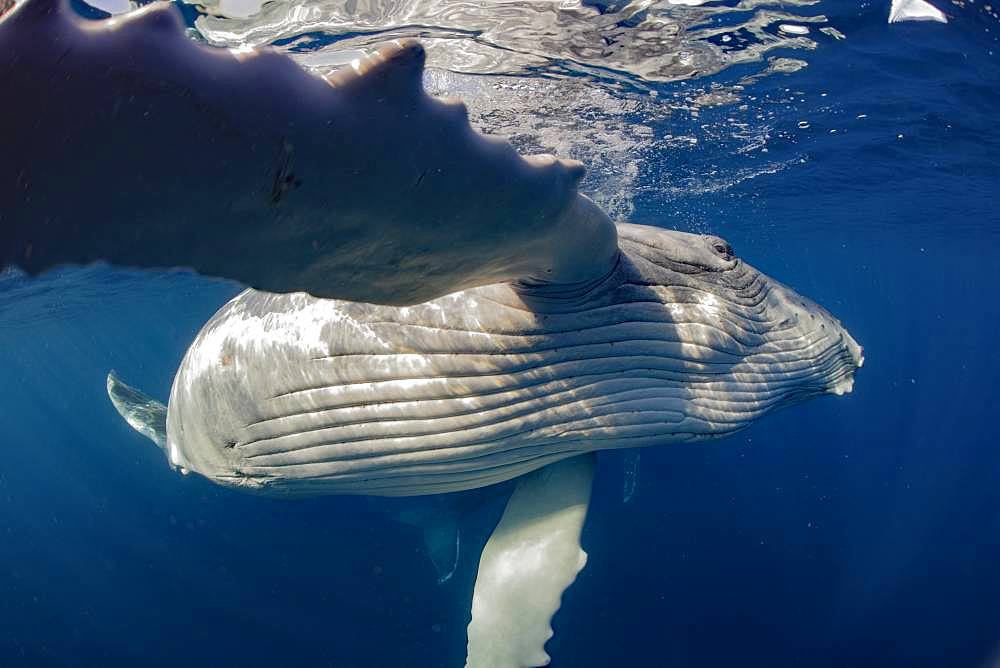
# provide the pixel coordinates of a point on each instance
(428, 312)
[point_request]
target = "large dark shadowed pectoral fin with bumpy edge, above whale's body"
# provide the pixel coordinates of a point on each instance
(241, 164)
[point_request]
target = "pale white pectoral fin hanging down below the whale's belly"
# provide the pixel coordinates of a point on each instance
(533, 555)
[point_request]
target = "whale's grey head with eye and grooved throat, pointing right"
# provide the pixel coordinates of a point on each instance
(747, 344)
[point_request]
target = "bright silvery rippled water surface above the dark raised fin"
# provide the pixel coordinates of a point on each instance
(585, 80)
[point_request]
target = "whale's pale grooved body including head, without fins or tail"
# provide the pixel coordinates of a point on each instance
(290, 394)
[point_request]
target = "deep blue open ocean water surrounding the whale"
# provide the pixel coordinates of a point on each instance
(852, 531)
